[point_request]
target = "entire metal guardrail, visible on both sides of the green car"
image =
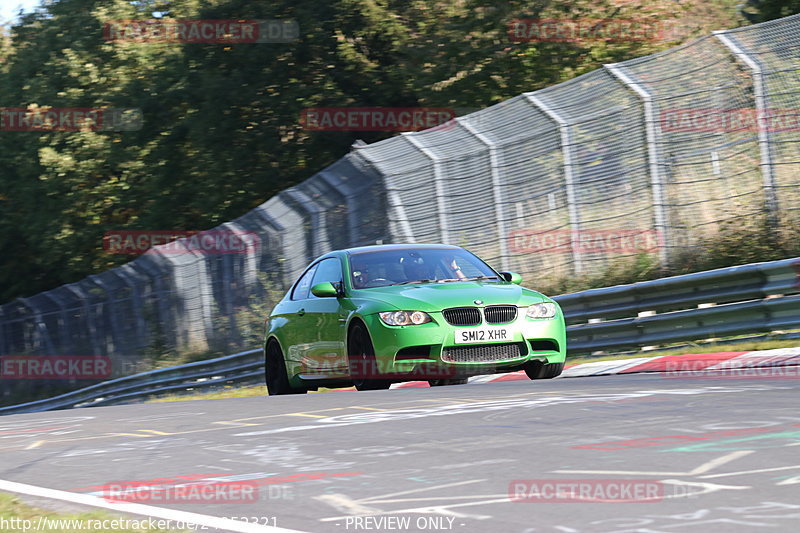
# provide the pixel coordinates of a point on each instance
(754, 298)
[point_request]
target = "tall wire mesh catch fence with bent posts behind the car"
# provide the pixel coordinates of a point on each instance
(649, 156)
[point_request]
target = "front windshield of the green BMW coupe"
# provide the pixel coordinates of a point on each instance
(416, 265)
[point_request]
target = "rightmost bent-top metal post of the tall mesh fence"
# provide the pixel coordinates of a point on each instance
(762, 114)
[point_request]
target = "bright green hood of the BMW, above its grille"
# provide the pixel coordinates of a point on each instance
(436, 296)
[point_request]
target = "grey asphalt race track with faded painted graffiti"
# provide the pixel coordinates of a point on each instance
(688, 455)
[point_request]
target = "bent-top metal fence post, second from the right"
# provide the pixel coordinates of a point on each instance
(656, 179)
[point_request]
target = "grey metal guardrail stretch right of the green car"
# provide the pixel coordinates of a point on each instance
(747, 299)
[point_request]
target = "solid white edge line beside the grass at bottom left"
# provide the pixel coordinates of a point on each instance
(225, 524)
